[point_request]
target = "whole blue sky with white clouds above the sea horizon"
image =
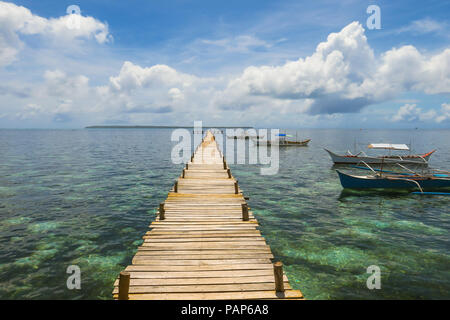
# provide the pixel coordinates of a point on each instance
(244, 63)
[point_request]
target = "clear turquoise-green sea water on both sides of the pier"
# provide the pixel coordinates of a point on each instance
(86, 197)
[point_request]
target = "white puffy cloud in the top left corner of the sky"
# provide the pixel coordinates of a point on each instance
(16, 21)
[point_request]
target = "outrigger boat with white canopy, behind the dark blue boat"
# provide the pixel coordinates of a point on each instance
(386, 159)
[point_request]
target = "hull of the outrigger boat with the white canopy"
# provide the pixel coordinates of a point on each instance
(339, 159)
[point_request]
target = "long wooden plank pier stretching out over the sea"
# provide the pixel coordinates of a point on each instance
(200, 247)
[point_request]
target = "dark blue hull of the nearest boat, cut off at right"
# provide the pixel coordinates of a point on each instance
(371, 182)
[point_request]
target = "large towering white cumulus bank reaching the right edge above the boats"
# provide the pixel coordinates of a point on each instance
(343, 75)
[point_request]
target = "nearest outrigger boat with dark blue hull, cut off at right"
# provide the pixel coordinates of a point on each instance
(433, 179)
